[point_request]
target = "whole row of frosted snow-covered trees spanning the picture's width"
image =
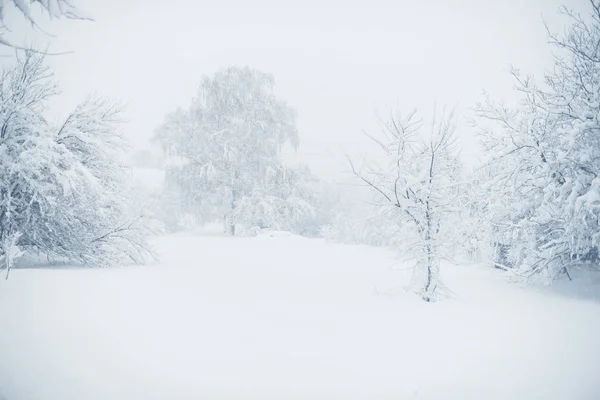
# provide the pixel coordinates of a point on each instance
(532, 208)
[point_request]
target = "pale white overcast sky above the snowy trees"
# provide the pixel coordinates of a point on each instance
(335, 62)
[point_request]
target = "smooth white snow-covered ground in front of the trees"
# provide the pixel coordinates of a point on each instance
(283, 317)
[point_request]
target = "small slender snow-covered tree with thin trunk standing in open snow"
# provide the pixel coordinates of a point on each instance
(416, 175)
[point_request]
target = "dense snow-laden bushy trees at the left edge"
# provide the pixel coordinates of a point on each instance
(63, 189)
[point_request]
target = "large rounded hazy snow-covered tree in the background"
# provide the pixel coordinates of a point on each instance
(225, 149)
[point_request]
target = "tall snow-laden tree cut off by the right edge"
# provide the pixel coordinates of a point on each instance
(545, 198)
